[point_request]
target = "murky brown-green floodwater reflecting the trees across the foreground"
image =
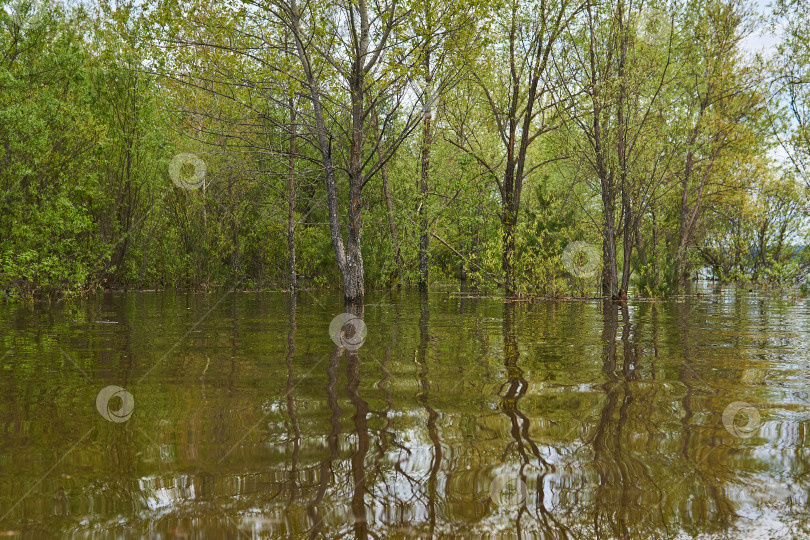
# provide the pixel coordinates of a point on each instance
(236, 415)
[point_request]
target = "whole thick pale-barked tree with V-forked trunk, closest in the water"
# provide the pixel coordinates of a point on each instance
(359, 44)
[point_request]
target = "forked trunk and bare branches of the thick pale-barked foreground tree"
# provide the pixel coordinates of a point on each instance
(357, 63)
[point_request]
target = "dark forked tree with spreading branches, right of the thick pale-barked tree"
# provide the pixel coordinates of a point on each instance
(520, 99)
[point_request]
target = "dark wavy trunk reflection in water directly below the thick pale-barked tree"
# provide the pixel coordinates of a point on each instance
(358, 457)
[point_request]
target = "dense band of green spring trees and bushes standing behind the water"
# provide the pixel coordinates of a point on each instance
(342, 143)
